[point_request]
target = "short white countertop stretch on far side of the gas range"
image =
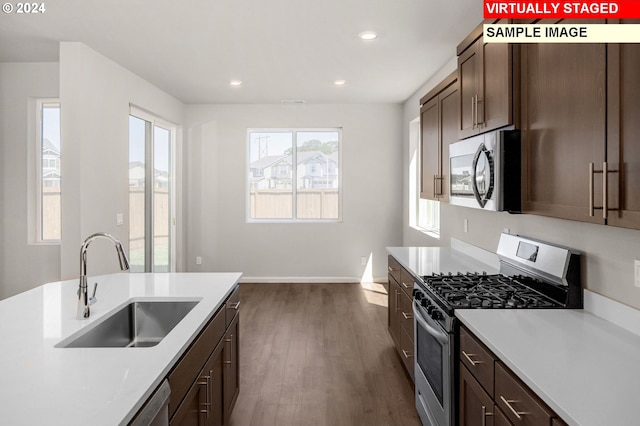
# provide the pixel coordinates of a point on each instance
(430, 260)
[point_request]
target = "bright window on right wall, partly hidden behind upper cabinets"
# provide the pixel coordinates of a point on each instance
(424, 215)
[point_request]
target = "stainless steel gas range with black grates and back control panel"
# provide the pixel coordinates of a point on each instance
(533, 275)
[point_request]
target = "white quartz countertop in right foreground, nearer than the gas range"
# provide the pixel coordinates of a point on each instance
(585, 368)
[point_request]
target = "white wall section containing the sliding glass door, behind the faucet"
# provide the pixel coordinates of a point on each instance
(95, 93)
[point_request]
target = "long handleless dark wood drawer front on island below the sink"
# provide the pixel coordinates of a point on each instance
(188, 368)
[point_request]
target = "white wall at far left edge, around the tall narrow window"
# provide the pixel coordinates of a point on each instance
(22, 265)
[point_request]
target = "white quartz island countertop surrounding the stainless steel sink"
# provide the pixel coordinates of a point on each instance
(44, 385)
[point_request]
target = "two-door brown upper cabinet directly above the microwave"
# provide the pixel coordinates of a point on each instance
(485, 78)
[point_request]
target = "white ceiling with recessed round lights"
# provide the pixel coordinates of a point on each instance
(280, 49)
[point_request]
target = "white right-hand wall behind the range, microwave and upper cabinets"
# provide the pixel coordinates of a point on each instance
(608, 252)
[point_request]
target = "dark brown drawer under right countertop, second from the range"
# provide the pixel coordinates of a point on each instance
(517, 401)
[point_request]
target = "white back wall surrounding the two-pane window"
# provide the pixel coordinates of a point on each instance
(215, 188)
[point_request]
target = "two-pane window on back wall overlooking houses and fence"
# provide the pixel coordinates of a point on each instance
(294, 175)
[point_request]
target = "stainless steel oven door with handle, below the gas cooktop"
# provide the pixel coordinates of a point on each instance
(433, 370)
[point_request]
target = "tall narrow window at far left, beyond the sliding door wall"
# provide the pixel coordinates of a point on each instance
(48, 173)
